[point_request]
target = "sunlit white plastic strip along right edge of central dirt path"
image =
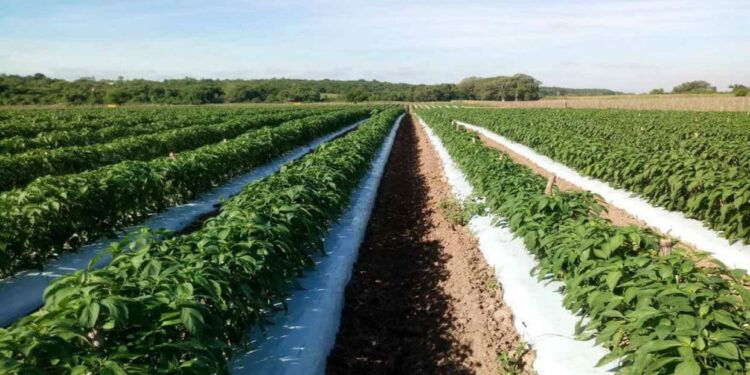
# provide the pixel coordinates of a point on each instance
(539, 315)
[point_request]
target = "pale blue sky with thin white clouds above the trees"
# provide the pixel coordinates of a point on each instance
(630, 45)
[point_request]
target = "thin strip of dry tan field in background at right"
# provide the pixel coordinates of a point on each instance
(718, 102)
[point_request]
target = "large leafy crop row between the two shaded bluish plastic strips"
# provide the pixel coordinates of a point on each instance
(183, 305)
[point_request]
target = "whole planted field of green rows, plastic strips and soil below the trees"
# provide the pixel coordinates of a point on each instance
(469, 247)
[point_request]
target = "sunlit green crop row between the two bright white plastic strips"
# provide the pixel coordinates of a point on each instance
(656, 314)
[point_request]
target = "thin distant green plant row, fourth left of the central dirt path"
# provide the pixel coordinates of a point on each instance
(147, 123)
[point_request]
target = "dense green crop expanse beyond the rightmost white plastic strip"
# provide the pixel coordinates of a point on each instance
(705, 187)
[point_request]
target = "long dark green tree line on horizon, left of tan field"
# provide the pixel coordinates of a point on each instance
(40, 89)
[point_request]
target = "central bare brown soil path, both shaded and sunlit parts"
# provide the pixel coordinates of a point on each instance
(421, 300)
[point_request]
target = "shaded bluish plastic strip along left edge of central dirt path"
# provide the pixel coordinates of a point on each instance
(299, 341)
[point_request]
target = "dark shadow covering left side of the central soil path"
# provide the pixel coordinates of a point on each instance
(396, 318)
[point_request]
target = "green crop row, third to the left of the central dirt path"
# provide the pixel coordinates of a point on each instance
(20, 169)
